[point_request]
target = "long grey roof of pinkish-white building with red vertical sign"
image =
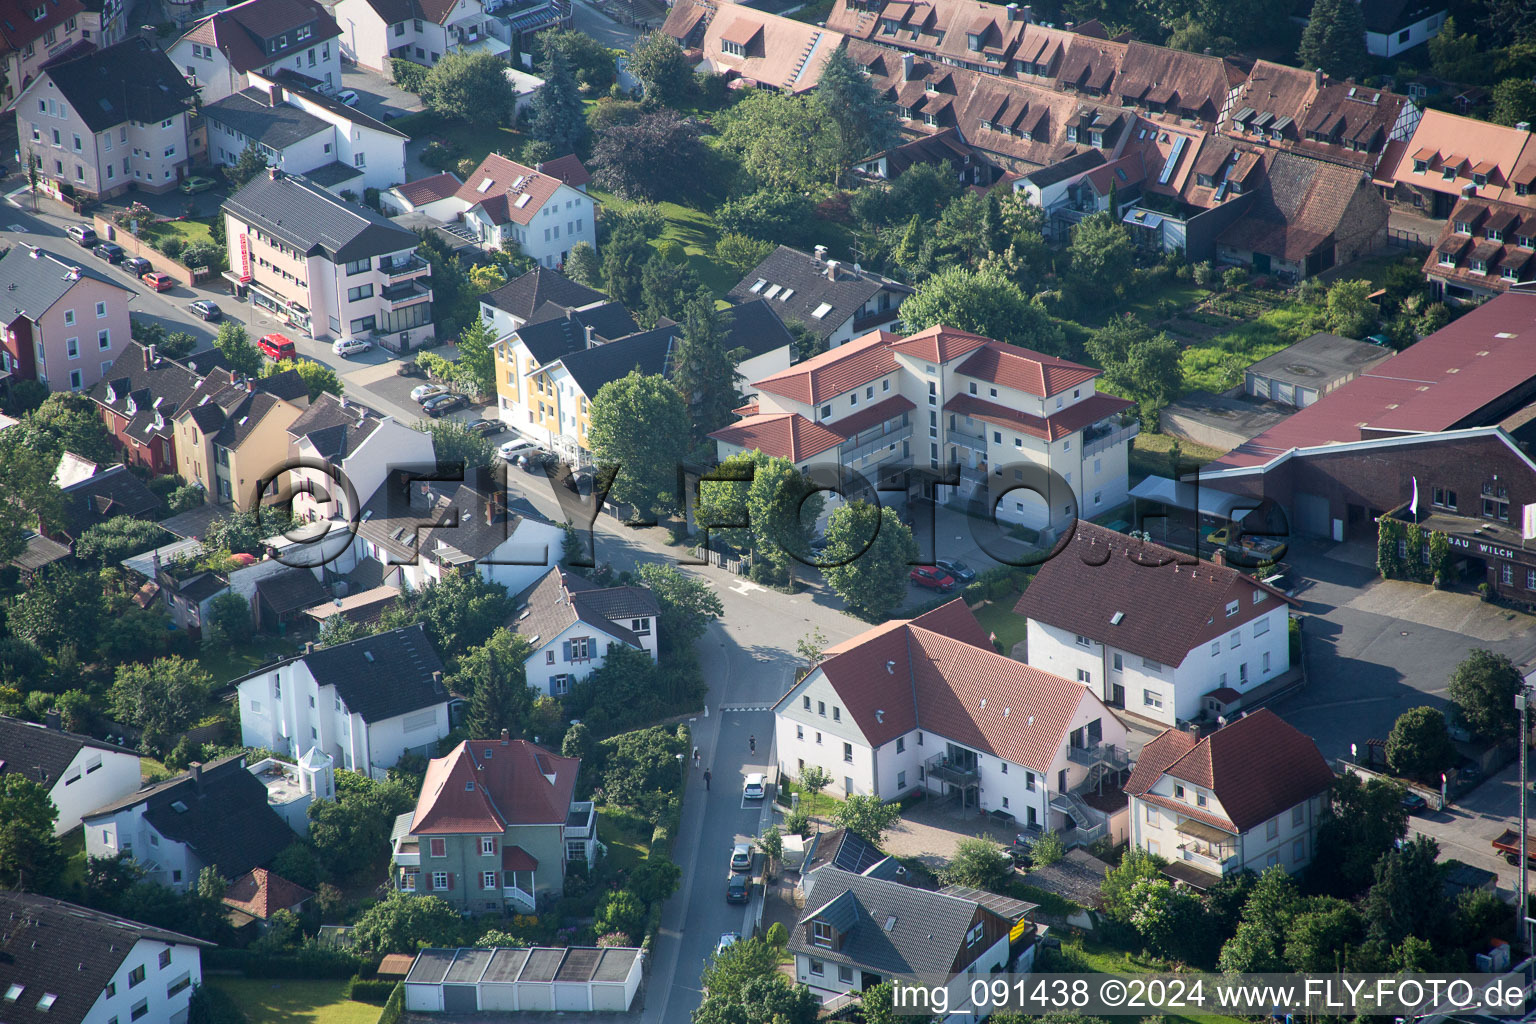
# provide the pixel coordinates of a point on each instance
(316, 222)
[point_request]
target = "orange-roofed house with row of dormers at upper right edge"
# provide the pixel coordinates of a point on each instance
(1452, 159)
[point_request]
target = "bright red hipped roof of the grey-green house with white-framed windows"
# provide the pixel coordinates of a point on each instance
(483, 787)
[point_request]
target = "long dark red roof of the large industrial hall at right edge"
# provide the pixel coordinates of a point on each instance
(1437, 385)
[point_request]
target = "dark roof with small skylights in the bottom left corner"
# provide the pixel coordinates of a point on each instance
(67, 951)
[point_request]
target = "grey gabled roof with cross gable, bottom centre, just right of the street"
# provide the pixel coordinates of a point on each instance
(889, 928)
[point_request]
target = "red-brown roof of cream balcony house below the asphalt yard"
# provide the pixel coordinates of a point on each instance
(1259, 767)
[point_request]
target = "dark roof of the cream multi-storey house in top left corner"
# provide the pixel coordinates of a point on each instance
(130, 82)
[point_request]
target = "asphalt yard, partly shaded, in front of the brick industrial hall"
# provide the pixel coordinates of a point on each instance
(1377, 649)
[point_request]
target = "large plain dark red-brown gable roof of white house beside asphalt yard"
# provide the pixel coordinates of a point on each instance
(1167, 609)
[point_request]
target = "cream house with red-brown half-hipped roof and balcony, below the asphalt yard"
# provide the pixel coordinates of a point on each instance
(1246, 798)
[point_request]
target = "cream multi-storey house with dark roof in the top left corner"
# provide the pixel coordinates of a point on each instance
(105, 122)
